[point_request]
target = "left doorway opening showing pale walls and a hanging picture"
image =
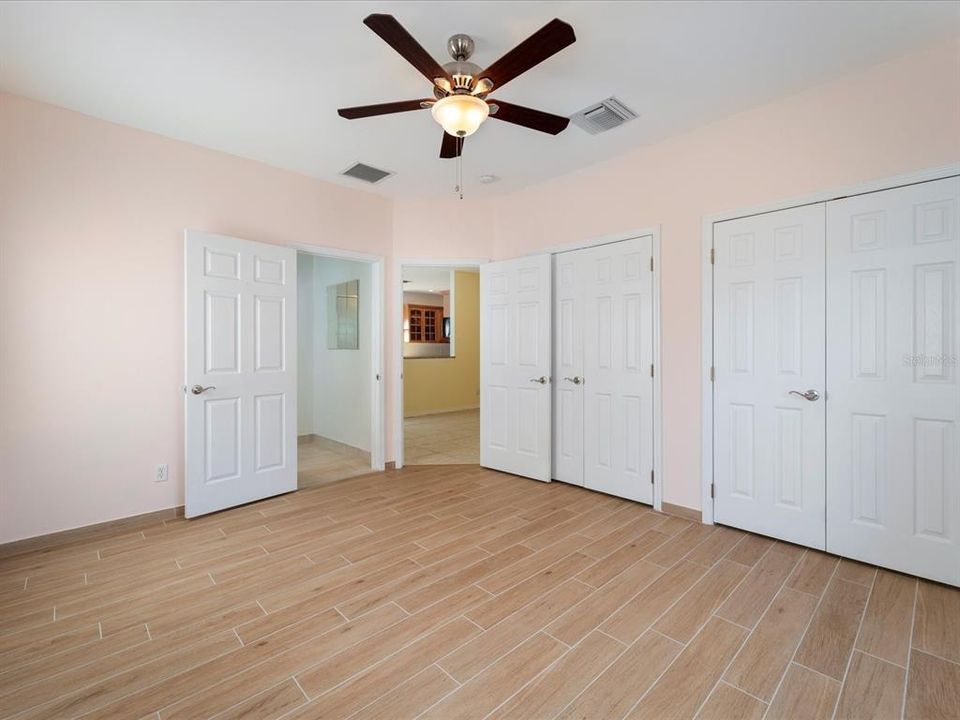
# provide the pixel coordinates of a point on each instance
(336, 362)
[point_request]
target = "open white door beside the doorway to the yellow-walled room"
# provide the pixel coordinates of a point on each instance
(515, 330)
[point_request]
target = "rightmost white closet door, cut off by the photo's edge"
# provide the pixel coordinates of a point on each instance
(892, 355)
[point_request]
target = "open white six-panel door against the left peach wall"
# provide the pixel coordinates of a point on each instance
(241, 381)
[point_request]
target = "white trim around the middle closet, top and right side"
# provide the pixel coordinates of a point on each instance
(652, 231)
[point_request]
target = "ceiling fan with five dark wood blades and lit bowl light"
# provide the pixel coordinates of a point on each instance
(460, 87)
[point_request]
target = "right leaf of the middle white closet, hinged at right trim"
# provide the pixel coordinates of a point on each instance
(616, 287)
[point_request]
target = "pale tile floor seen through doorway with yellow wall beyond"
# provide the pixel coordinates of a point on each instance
(442, 439)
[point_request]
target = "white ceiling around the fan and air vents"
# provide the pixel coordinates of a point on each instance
(263, 79)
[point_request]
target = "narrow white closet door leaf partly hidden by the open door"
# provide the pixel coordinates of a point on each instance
(568, 368)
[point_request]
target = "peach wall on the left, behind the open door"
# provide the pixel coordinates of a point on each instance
(91, 300)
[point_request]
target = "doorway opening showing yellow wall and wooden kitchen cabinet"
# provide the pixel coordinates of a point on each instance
(439, 418)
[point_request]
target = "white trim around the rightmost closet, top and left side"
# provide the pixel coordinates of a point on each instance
(707, 292)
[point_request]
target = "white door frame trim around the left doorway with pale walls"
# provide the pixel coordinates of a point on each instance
(378, 430)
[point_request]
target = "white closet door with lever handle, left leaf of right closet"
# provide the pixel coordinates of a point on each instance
(769, 334)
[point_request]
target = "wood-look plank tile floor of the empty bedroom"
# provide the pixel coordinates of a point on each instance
(456, 592)
